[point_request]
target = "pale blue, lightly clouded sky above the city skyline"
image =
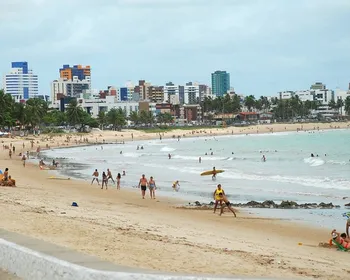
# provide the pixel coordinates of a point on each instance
(266, 45)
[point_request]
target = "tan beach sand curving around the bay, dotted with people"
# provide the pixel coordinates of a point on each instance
(120, 227)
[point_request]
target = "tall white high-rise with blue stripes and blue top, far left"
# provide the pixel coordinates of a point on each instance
(21, 82)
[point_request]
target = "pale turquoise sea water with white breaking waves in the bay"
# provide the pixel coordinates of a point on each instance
(289, 172)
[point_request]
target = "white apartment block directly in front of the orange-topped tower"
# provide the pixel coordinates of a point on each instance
(70, 88)
